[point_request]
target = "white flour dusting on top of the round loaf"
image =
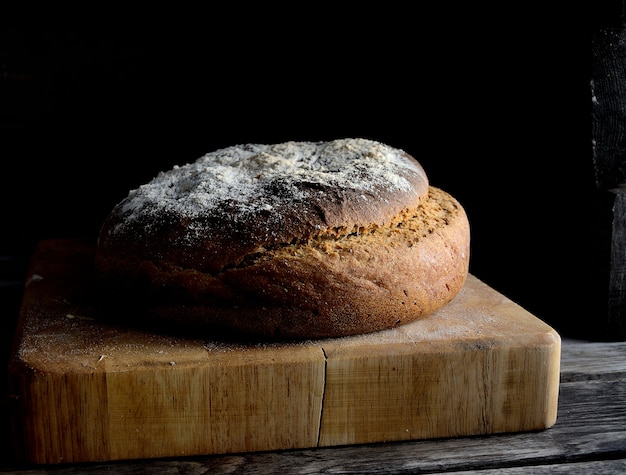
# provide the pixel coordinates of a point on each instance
(254, 177)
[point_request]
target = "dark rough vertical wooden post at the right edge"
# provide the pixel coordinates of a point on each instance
(608, 105)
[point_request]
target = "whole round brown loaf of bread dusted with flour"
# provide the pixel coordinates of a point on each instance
(297, 240)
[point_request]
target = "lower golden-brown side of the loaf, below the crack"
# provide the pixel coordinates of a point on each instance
(373, 279)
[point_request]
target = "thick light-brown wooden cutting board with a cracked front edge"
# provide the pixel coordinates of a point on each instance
(86, 390)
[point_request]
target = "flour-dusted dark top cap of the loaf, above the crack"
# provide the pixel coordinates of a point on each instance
(211, 213)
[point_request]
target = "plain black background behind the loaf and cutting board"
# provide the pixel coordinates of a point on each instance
(492, 99)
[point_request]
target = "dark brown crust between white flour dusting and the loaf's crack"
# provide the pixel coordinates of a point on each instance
(164, 236)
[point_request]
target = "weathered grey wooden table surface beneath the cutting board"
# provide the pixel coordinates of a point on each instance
(588, 437)
